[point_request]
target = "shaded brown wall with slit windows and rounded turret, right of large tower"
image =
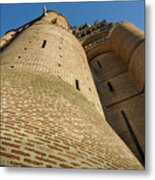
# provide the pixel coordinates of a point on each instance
(119, 75)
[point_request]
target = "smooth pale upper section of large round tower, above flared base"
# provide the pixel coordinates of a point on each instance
(48, 48)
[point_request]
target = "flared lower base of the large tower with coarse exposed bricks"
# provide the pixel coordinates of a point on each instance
(45, 122)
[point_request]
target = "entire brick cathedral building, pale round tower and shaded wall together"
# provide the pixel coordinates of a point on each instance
(72, 97)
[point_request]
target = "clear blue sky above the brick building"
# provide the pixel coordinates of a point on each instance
(15, 15)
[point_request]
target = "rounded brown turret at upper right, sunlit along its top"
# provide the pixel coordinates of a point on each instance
(125, 38)
